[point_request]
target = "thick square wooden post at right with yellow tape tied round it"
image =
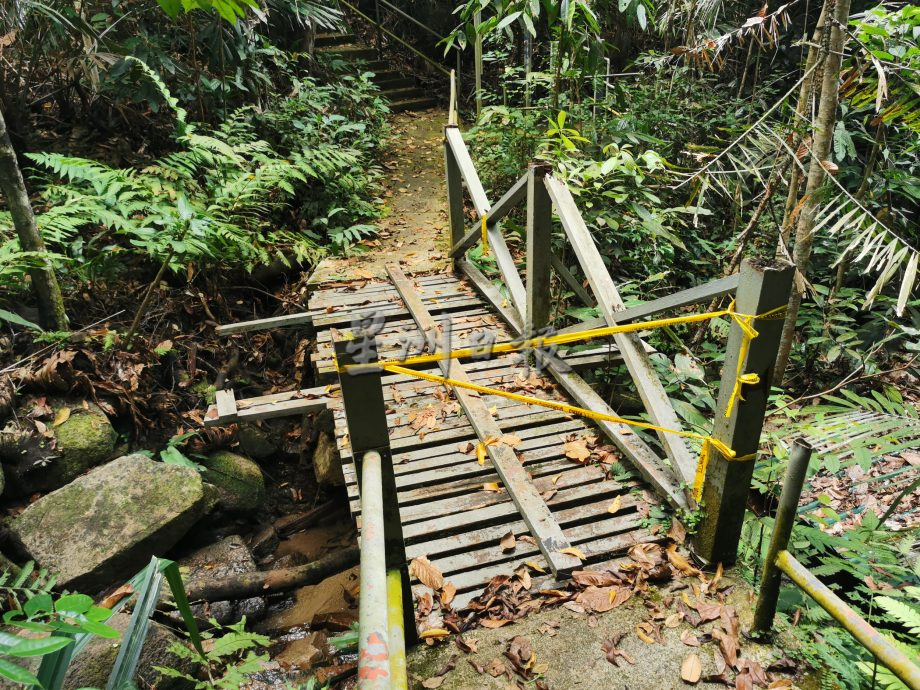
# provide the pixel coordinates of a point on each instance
(761, 289)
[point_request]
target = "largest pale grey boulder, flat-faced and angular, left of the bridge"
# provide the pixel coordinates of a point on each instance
(104, 526)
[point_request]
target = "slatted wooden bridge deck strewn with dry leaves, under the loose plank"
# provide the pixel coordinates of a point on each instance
(453, 509)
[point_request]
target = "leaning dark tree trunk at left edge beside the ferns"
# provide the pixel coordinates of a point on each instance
(47, 290)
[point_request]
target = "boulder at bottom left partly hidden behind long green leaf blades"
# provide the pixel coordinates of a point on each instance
(91, 668)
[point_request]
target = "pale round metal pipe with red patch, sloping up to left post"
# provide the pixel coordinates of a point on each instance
(373, 630)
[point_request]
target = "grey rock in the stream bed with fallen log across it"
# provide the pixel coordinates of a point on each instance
(223, 559)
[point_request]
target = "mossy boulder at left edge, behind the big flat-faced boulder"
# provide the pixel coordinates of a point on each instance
(45, 454)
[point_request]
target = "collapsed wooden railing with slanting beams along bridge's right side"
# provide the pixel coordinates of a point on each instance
(757, 289)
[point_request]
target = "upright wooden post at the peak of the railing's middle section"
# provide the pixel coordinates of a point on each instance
(539, 252)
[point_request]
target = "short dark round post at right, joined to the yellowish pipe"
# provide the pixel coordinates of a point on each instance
(782, 530)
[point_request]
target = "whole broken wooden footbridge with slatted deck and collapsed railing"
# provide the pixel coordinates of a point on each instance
(456, 470)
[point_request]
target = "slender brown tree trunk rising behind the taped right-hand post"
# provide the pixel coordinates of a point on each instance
(821, 146)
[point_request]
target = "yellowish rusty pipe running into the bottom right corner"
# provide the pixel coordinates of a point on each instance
(870, 638)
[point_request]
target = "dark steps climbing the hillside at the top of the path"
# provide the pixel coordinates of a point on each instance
(400, 90)
